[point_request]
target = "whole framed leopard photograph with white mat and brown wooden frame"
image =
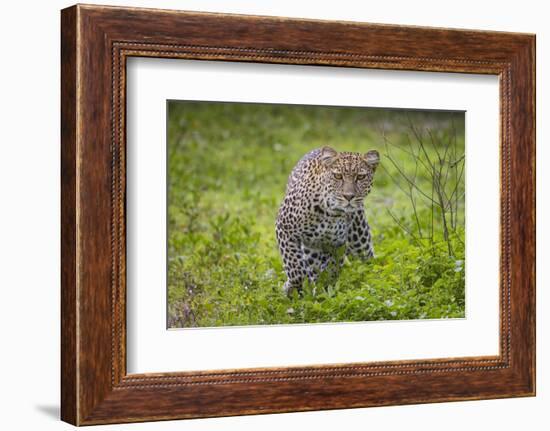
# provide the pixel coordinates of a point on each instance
(264, 214)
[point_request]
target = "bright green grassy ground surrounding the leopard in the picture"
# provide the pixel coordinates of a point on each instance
(228, 165)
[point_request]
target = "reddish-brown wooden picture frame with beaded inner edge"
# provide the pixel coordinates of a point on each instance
(95, 43)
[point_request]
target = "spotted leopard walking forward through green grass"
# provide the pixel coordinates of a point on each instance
(322, 219)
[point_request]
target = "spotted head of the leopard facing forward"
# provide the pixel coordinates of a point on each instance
(347, 178)
